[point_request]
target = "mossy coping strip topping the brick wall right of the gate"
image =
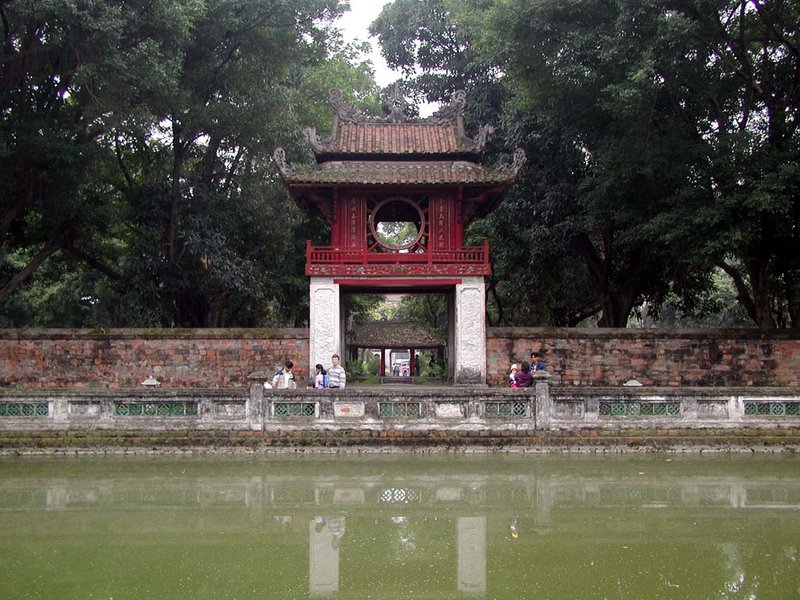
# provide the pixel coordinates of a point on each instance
(628, 333)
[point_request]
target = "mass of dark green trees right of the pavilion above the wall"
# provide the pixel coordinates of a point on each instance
(662, 144)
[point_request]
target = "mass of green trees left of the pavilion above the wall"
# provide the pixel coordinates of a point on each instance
(135, 138)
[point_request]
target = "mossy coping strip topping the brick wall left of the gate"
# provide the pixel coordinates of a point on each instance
(155, 334)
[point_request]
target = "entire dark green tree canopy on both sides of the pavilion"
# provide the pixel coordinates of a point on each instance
(137, 188)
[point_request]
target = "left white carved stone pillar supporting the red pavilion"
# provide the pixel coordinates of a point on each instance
(325, 324)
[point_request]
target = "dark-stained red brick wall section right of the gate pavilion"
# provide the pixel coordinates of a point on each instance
(663, 357)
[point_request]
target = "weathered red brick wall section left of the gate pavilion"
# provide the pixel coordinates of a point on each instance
(210, 358)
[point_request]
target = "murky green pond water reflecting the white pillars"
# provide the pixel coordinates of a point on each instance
(404, 527)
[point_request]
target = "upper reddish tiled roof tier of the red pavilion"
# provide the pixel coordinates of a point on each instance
(399, 138)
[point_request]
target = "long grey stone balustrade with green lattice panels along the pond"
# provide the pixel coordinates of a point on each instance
(542, 407)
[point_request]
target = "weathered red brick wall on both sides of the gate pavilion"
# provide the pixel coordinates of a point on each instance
(218, 358)
